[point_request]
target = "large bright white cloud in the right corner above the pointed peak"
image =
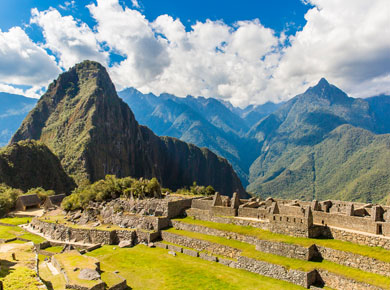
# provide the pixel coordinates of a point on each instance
(348, 42)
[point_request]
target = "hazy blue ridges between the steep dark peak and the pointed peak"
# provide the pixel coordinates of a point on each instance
(205, 122)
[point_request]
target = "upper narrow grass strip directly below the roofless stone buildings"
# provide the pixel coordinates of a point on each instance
(372, 252)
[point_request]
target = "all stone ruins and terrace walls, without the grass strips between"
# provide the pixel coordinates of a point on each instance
(145, 221)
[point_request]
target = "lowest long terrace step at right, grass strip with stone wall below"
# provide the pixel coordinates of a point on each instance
(280, 267)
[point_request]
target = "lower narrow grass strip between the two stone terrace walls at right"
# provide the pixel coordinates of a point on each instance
(289, 263)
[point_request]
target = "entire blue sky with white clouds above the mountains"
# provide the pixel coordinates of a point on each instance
(245, 52)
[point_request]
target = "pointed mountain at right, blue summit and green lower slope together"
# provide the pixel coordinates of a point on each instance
(320, 144)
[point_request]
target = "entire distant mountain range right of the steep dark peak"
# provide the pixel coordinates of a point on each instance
(320, 144)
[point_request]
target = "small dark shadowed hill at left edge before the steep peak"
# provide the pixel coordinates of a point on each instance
(29, 164)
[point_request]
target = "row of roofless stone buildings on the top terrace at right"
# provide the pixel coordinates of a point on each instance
(302, 219)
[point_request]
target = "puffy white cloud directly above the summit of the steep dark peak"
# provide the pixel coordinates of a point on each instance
(72, 42)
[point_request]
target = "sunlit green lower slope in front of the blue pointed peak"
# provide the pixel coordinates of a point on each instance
(349, 164)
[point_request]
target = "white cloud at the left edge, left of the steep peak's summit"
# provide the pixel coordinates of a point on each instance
(23, 62)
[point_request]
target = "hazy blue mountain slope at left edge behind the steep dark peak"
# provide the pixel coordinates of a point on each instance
(13, 109)
